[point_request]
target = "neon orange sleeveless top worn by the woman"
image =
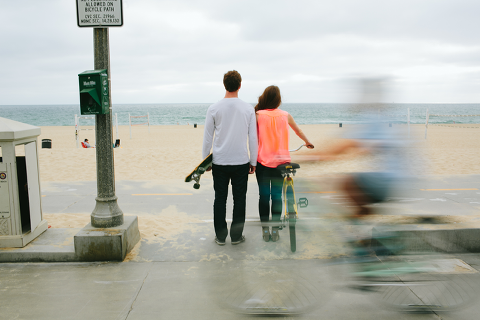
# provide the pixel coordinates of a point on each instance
(273, 135)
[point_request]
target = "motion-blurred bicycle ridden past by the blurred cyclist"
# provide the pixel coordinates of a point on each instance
(379, 263)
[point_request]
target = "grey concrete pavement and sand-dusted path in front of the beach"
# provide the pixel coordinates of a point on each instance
(178, 272)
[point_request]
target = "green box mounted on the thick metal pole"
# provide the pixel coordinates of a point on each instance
(94, 98)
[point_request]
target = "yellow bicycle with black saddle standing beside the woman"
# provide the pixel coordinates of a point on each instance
(289, 209)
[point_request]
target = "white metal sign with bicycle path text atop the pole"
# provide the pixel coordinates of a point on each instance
(99, 13)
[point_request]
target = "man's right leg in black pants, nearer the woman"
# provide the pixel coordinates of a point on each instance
(239, 176)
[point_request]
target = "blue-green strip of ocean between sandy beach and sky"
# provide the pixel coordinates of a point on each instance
(303, 113)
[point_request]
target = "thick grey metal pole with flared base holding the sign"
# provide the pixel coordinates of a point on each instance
(107, 213)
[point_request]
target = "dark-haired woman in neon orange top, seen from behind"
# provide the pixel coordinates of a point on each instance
(273, 135)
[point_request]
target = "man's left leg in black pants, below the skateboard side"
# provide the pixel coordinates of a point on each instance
(221, 180)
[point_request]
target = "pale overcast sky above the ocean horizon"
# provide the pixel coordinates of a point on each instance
(176, 51)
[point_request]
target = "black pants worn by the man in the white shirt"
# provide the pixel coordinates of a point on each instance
(222, 175)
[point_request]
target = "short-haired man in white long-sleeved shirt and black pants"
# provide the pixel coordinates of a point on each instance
(233, 123)
